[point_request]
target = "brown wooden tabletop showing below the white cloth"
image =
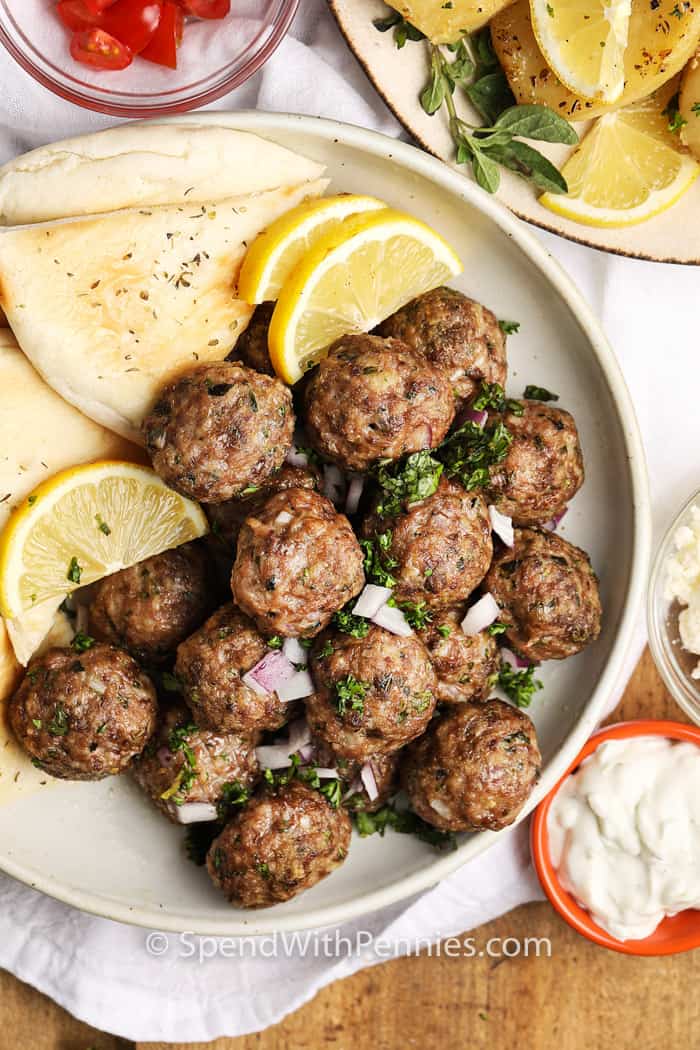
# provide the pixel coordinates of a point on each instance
(582, 997)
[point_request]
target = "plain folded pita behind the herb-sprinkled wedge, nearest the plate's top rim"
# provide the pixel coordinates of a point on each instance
(144, 165)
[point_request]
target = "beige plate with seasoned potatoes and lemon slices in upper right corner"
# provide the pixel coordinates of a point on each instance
(633, 183)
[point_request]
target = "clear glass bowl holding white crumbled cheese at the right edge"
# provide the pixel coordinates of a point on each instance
(673, 662)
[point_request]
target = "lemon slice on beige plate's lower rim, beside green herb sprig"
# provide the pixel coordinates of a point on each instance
(627, 170)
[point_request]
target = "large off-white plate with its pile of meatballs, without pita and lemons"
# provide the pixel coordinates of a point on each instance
(422, 573)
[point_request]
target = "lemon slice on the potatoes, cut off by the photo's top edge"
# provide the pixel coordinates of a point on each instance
(584, 43)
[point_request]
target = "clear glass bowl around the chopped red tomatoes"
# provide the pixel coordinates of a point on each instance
(216, 57)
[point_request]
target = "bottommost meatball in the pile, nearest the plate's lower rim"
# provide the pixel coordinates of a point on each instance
(281, 844)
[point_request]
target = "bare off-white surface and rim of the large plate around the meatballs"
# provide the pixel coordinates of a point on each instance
(104, 849)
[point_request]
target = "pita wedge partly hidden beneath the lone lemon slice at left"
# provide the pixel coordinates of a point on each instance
(40, 435)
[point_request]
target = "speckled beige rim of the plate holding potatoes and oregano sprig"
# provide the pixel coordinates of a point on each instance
(400, 95)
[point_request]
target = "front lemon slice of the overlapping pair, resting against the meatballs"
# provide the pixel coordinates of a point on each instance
(351, 281)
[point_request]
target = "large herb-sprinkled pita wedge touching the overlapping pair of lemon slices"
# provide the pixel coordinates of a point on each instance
(111, 308)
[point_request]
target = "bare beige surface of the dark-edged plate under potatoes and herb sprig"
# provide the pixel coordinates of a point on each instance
(400, 76)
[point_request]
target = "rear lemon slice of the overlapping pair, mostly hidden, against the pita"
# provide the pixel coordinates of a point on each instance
(275, 254)
